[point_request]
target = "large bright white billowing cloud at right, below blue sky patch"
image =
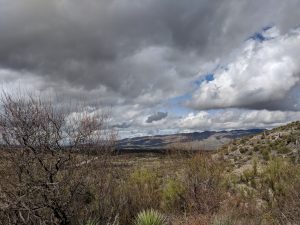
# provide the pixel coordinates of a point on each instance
(264, 74)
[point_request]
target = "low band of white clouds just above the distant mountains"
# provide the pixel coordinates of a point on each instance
(225, 119)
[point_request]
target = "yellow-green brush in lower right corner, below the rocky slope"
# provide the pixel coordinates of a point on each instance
(270, 196)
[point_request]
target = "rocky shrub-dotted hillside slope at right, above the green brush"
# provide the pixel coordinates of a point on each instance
(282, 142)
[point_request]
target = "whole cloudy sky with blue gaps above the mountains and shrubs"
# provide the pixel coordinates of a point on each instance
(159, 66)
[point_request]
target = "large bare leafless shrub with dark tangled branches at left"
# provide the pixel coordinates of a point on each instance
(45, 179)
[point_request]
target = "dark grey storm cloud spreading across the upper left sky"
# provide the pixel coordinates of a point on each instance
(92, 43)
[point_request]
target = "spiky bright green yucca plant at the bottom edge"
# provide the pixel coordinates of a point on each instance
(150, 217)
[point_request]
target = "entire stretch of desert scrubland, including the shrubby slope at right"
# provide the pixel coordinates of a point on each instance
(254, 180)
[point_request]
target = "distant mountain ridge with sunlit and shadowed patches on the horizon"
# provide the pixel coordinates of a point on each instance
(207, 140)
